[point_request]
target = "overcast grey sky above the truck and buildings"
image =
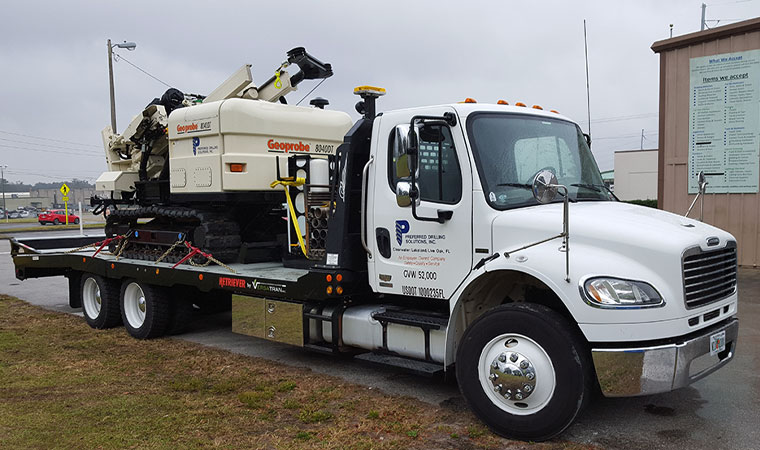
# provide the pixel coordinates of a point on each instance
(54, 71)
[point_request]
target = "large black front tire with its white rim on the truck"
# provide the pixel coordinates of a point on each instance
(543, 352)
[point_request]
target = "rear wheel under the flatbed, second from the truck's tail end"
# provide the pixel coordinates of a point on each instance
(145, 309)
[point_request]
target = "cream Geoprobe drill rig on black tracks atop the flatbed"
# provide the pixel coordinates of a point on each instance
(205, 172)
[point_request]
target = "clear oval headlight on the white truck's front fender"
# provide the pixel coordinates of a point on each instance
(615, 293)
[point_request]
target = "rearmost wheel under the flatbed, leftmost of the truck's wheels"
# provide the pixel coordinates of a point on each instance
(100, 301)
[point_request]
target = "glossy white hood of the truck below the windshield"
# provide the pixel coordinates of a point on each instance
(615, 226)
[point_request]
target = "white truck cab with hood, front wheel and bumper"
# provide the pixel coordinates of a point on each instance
(634, 295)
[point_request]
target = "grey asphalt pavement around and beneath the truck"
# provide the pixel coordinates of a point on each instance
(721, 411)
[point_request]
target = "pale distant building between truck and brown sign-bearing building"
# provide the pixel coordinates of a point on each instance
(636, 174)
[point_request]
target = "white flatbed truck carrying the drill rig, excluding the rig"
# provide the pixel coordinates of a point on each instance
(474, 239)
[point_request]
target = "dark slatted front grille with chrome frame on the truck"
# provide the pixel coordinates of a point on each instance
(709, 276)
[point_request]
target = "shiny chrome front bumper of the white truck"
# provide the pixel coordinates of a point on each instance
(627, 372)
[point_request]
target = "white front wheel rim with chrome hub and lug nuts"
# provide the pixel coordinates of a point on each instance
(516, 374)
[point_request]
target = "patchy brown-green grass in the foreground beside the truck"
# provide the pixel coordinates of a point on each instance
(69, 386)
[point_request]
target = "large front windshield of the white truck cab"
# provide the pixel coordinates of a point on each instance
(510, 149)
